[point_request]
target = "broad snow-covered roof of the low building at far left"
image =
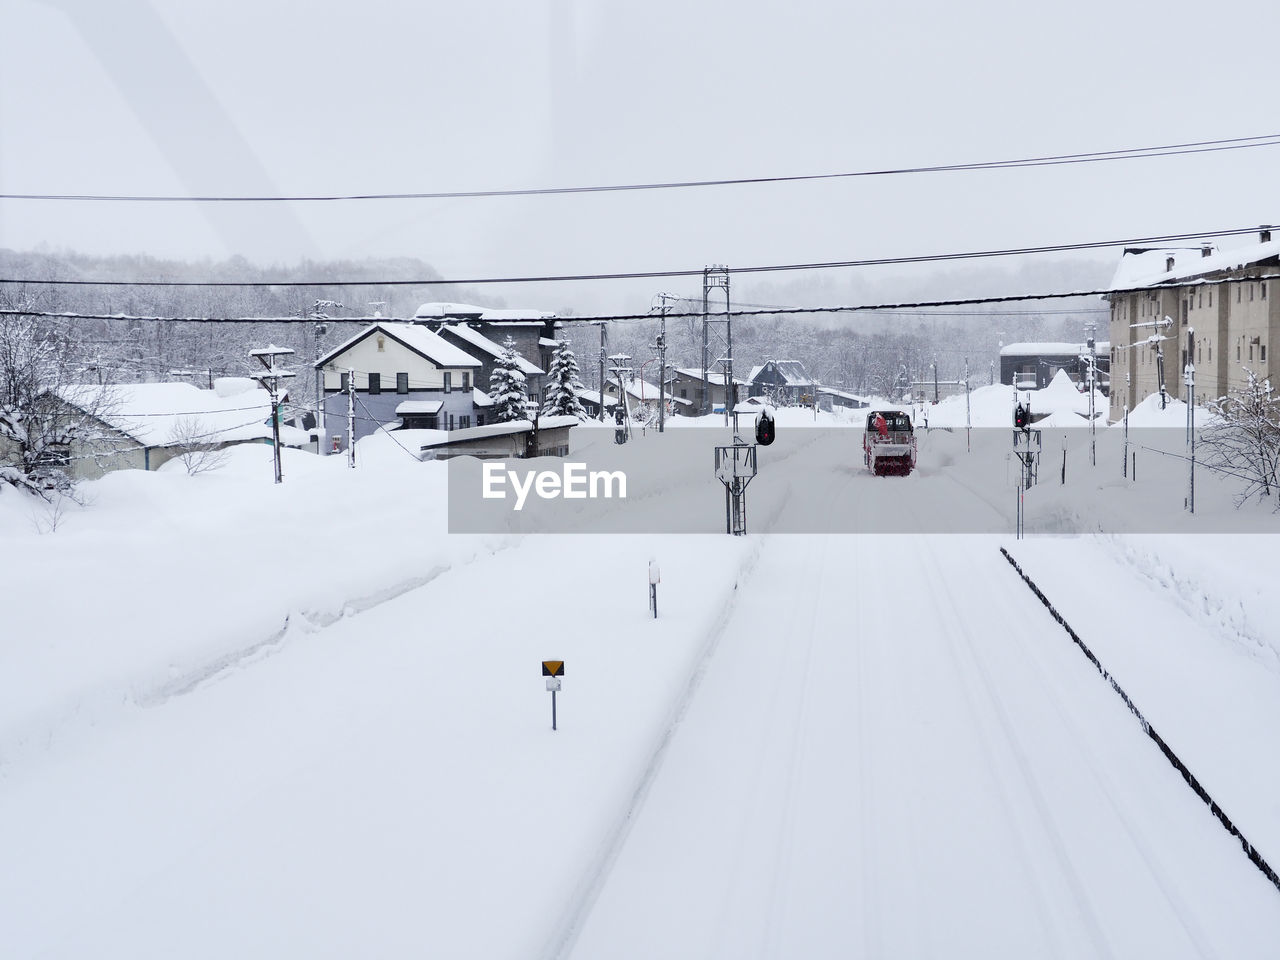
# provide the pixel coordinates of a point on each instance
(156, 414)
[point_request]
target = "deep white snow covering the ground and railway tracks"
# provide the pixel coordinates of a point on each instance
(246, 720)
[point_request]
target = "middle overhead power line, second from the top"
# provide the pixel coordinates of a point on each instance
(657, 275)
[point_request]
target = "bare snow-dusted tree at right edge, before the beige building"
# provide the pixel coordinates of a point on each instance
(1245, 441)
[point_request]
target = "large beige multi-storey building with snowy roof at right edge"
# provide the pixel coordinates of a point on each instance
(1222, 316)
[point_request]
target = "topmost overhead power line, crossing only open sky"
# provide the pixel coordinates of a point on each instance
(1204, 147)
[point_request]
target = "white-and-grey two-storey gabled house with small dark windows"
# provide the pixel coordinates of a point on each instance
(391, 364)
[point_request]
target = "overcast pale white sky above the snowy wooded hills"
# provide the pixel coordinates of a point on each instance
(275, 97)
